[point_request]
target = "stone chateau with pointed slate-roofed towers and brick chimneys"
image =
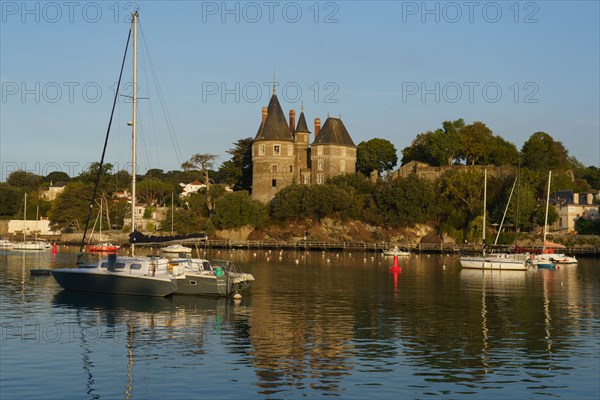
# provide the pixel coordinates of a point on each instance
(282, 153)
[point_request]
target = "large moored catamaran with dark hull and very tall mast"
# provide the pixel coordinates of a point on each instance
(150, 276)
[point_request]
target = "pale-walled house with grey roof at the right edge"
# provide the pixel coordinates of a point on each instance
(570, 206)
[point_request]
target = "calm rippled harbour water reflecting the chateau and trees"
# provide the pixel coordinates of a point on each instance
(313, 324)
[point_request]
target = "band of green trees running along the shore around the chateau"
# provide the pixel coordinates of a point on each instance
(453, 202)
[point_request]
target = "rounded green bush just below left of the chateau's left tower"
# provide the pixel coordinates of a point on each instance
(238, 209)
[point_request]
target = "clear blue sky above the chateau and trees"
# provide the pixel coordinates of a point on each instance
(390, 69)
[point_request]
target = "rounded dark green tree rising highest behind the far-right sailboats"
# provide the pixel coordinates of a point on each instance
(542, 152)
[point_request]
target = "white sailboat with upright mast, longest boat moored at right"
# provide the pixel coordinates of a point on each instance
(497, 261)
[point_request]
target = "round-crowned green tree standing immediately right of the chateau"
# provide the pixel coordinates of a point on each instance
(375, 154)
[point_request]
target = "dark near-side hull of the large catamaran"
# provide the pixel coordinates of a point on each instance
(90, 281)
